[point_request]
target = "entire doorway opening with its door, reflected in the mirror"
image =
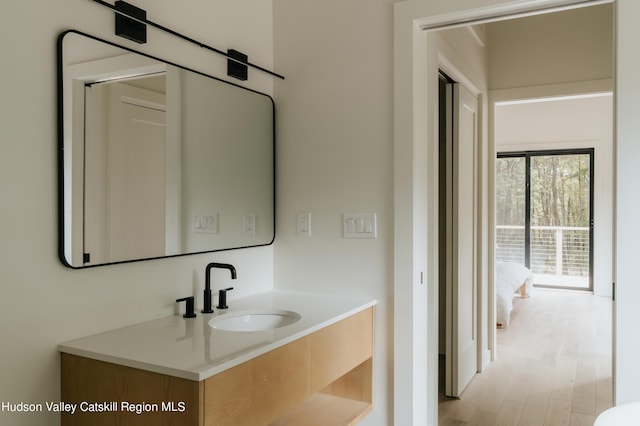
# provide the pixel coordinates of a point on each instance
(124, 184)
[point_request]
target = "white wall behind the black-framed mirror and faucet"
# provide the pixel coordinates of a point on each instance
(43, 303)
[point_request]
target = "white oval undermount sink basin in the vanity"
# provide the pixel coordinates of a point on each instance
(254, 320)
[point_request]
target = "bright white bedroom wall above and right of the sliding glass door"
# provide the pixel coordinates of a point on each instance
(569, 124)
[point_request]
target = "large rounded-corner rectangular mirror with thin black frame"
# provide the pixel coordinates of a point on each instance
(157, 160)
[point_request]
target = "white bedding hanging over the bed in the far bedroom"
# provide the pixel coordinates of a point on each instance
(509, 277)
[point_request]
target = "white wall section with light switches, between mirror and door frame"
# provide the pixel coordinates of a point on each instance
(335, 151)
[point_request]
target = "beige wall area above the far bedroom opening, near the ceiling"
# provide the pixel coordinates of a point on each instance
(569, 46)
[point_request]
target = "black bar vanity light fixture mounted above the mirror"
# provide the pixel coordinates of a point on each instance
(131, 23)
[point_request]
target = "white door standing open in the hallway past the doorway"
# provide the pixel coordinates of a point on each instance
(461, 346)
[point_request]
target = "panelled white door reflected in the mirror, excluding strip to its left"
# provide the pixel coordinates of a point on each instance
(137, 165)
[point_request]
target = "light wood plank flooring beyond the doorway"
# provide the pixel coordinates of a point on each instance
(553, 366)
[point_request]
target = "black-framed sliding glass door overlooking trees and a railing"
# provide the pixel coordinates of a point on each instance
(544, 218)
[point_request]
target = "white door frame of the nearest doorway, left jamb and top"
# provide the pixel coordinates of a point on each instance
(415, 199)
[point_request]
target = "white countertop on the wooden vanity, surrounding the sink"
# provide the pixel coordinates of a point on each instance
(189, 348)
